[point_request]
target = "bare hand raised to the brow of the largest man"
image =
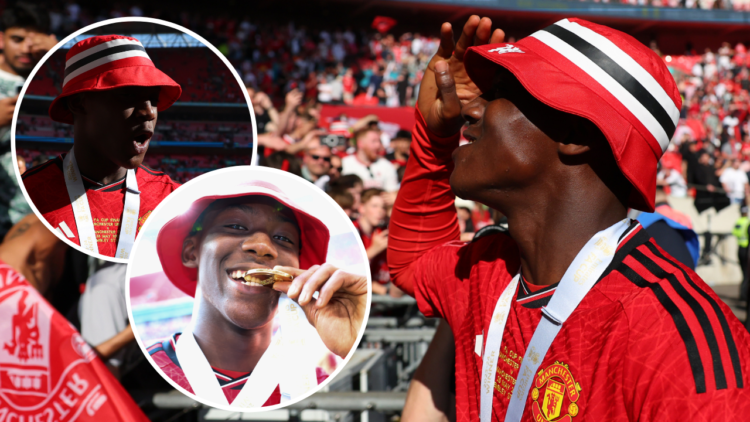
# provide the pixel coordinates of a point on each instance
(446, 86)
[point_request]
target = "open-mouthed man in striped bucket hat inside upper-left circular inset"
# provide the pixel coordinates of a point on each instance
(99, 194)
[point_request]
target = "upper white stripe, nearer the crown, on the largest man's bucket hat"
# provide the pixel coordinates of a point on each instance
(626, 62)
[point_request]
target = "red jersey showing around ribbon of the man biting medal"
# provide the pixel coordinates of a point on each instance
(231, 382)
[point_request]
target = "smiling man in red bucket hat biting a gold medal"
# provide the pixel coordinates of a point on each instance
(231, 354)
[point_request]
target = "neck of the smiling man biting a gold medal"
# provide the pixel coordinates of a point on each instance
(227, 346)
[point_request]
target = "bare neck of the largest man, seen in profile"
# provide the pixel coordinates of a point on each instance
(552, 227)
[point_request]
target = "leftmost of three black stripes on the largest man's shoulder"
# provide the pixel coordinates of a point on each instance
(691, 347)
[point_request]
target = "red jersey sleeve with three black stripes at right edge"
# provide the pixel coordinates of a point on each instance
(684, 363)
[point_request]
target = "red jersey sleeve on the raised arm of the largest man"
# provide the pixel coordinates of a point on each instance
(424, 215)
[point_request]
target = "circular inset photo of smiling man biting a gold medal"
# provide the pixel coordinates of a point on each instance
(249, 288)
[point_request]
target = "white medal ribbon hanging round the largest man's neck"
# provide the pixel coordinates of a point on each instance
(578, 279)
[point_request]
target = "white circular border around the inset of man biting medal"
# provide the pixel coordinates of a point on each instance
(271, 172)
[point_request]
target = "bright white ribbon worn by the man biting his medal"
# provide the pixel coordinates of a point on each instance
(284, 363)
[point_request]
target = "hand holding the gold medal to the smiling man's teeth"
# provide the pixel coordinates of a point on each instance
(338, 312)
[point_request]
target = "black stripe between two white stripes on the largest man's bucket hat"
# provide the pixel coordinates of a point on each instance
(622, 76)
